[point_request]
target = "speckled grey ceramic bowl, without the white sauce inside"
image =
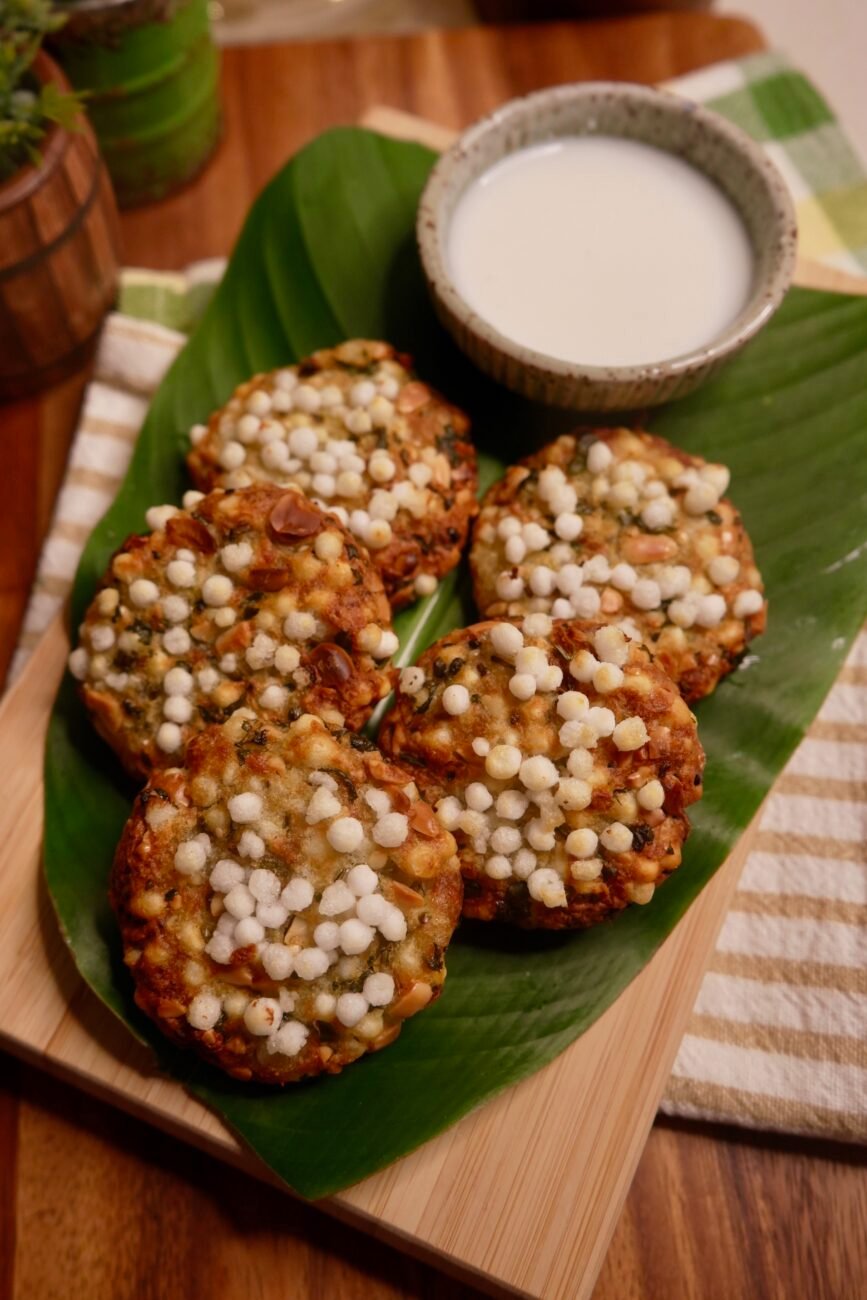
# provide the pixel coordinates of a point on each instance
(636, 112)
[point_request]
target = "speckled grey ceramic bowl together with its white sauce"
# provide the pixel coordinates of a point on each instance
(605, 246)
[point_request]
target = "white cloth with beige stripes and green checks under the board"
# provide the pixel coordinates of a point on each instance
(778, 1038)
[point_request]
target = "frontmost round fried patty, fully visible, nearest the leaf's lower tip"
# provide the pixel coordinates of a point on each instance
(285, 899)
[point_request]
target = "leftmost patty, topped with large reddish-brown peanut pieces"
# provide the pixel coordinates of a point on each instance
(253, 597)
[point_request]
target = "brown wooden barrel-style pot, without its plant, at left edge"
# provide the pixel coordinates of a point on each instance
(59, 257)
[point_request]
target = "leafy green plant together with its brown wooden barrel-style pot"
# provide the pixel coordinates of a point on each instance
(58, 218)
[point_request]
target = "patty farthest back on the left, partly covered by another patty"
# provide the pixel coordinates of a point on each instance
(363, 437)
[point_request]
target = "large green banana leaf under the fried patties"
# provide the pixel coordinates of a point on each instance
(328, 253)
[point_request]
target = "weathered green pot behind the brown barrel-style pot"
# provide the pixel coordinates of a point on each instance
(151, 75)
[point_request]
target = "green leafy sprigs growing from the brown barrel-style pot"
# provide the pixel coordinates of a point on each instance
(28, 109)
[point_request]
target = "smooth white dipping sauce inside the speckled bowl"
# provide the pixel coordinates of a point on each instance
(602, 252)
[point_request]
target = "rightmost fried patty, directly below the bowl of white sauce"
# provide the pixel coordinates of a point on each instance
(625, 528)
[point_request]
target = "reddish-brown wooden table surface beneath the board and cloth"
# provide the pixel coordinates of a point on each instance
(98, 1207)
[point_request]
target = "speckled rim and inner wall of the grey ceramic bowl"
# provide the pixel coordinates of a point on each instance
(765, 300)
